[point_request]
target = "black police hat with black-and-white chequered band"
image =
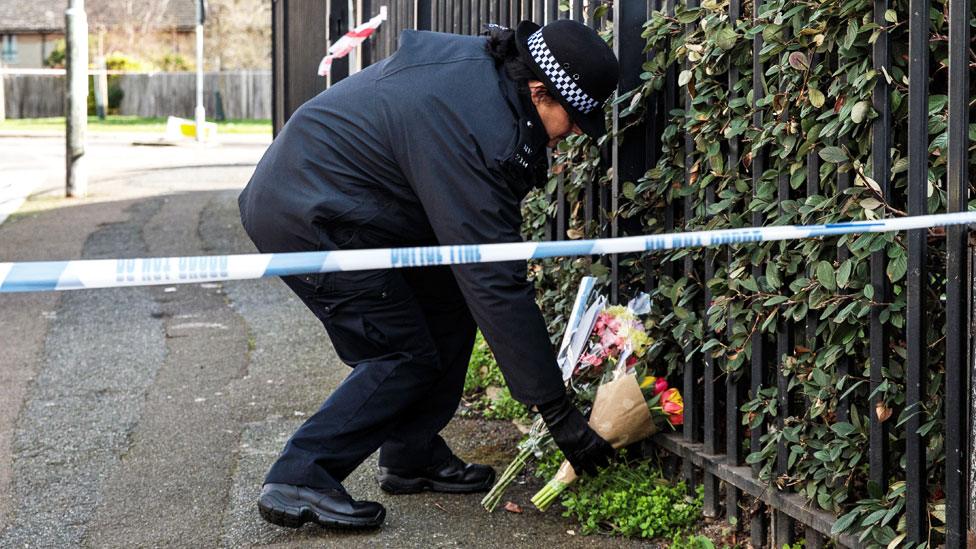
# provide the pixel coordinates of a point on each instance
(576, 65)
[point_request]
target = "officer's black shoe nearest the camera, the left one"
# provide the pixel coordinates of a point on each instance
(293, 506)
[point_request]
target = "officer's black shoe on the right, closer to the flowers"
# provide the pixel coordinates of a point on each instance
(453, 476)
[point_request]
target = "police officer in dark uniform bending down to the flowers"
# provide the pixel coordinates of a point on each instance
(437, 144)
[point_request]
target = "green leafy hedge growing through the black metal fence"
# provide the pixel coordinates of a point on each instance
(817, 109)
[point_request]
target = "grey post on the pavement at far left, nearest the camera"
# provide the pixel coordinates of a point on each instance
(76, 100)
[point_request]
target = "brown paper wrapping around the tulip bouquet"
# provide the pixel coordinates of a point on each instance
(619, 415)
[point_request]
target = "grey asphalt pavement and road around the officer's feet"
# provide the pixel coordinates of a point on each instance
(148, 416)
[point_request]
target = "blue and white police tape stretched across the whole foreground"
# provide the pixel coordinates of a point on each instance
(113, 273)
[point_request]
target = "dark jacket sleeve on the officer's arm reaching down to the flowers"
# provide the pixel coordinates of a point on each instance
(467, 201)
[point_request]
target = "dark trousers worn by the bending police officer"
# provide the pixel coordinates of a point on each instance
(408, 335)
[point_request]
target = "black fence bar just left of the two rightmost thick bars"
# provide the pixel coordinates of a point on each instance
(881, 172)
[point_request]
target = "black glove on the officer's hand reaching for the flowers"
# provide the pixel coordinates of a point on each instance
(585, 450)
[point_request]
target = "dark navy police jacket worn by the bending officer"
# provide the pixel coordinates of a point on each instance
(433, 145)
